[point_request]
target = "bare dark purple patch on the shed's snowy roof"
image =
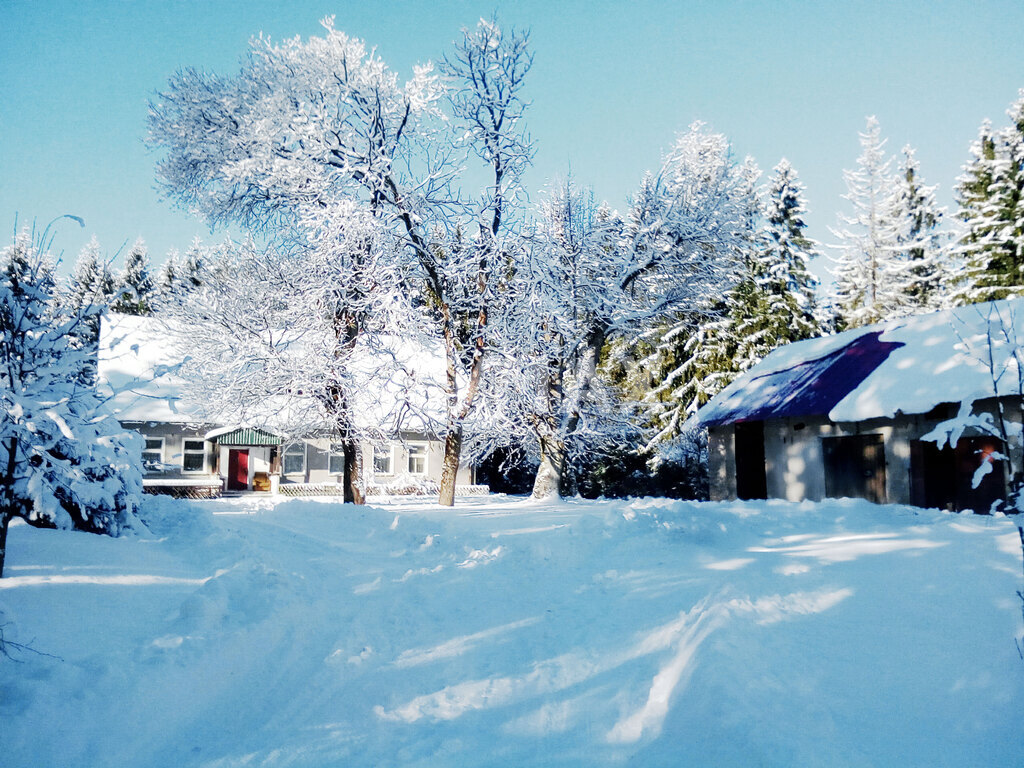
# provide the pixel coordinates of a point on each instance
(812, 389)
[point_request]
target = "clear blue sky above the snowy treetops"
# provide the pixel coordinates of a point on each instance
(613, 84)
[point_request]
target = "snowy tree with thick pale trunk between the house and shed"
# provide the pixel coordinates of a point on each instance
(549, 394)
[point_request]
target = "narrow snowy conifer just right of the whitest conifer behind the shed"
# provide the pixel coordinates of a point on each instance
(923, 275)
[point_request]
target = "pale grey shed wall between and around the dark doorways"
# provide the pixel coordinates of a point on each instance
(795, 463)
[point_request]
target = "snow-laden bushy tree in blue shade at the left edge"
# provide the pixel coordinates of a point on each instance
(64, 461)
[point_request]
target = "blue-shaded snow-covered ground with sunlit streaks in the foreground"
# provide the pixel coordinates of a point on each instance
(510, 633)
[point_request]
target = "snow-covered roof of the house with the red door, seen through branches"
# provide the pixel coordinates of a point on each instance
(140, 364)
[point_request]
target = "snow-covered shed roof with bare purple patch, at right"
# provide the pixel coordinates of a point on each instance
(907, 366)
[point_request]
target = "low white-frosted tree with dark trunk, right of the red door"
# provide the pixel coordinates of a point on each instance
(294, 337)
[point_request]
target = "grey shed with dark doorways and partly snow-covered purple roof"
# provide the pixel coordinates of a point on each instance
(845, 415)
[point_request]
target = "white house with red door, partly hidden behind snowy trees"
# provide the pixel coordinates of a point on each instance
(139, 369)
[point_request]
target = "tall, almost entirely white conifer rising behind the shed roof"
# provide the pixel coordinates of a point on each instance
(867, 272)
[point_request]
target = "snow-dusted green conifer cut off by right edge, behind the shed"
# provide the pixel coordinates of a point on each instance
(991, 197)
